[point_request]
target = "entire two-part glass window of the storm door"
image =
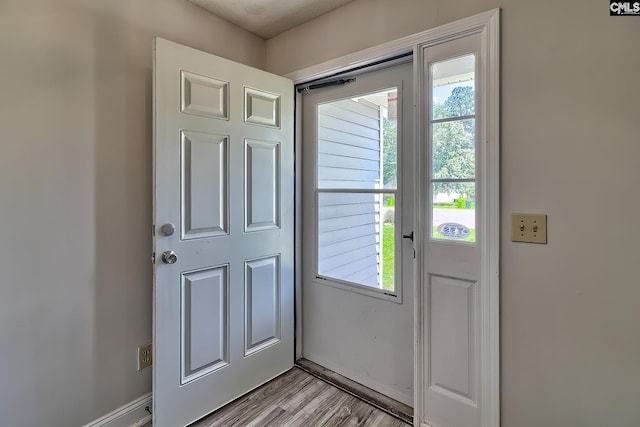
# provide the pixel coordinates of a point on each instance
(356, 189)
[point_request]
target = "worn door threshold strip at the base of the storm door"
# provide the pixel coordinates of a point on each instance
(390, 406)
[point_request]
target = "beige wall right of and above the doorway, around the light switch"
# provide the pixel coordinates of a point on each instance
(570, 148)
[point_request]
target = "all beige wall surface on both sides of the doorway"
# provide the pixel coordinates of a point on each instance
(75, 201)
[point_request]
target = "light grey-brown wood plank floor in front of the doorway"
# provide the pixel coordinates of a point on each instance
(298, 399)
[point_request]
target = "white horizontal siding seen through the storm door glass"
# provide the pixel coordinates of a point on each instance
(349, 157)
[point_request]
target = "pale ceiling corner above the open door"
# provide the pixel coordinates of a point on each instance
(268, 18)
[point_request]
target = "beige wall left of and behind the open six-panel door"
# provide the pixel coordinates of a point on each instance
(75, 197)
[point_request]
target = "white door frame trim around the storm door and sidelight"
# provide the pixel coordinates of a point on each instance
(487, 24)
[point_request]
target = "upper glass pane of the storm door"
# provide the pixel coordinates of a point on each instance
(357, 142)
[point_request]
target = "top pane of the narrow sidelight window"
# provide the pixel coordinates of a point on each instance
(453, 87)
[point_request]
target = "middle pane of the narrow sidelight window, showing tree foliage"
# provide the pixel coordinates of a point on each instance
(453, 150)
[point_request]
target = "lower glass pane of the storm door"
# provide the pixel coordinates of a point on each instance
(356, 238)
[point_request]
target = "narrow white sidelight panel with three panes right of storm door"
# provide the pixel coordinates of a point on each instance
(451, 287)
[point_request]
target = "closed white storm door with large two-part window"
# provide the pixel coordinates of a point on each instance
(357, 296)
